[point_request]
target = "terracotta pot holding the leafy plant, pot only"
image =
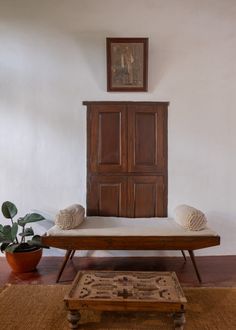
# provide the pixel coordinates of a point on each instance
(22, 262)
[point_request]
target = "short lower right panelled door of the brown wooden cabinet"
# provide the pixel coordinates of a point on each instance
(147, 196)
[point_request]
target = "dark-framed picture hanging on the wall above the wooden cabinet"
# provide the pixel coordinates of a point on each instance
(127, 64)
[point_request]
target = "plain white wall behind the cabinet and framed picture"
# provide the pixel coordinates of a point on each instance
(52, 57)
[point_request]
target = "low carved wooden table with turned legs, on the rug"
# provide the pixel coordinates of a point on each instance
(126, 291)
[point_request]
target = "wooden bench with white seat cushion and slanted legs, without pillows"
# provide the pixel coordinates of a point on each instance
(111, 233)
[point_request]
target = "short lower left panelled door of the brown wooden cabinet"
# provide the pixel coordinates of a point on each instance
(107, 196)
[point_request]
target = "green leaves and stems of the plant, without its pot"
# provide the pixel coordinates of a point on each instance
(11, 239)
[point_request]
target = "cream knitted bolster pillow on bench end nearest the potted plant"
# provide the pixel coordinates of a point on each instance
(71, 217)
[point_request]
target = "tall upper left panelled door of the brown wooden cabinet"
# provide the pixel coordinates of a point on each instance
(107, 138)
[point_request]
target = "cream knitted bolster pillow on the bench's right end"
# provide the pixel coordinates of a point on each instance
(190, 218)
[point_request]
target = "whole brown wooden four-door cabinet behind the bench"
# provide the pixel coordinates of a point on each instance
(127, 158)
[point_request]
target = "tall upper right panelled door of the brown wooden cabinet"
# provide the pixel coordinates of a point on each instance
(147, 138)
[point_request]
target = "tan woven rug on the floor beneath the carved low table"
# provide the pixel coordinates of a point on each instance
(40, 307)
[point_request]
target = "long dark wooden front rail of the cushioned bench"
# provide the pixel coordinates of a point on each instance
(131, 242)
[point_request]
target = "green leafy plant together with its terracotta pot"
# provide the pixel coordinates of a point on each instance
(22, 255)
